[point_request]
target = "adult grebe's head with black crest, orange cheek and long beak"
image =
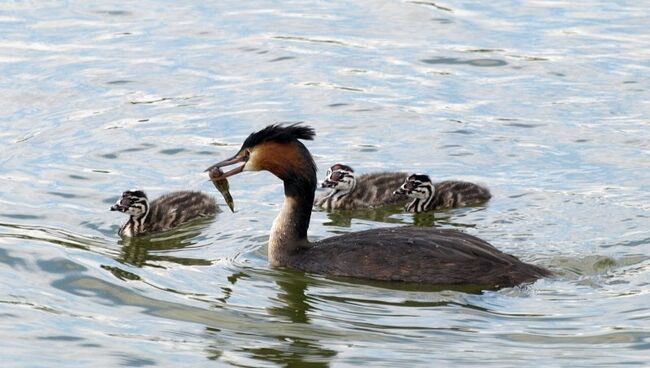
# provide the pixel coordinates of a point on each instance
(276, 149)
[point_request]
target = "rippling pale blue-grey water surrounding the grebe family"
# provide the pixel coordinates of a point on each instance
(546, 102)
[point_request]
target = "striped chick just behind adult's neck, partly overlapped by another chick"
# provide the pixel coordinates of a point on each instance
(347, 191)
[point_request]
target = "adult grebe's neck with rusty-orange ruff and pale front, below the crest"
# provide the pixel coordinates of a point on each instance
(292, 163)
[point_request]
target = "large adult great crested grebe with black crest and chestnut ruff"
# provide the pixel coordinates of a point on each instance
(408, 254)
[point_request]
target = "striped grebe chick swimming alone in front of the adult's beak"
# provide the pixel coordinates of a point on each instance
(163, 213)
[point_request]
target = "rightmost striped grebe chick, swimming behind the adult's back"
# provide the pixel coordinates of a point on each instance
(428, 196)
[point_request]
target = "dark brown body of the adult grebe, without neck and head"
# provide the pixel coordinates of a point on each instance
(415, 254)
